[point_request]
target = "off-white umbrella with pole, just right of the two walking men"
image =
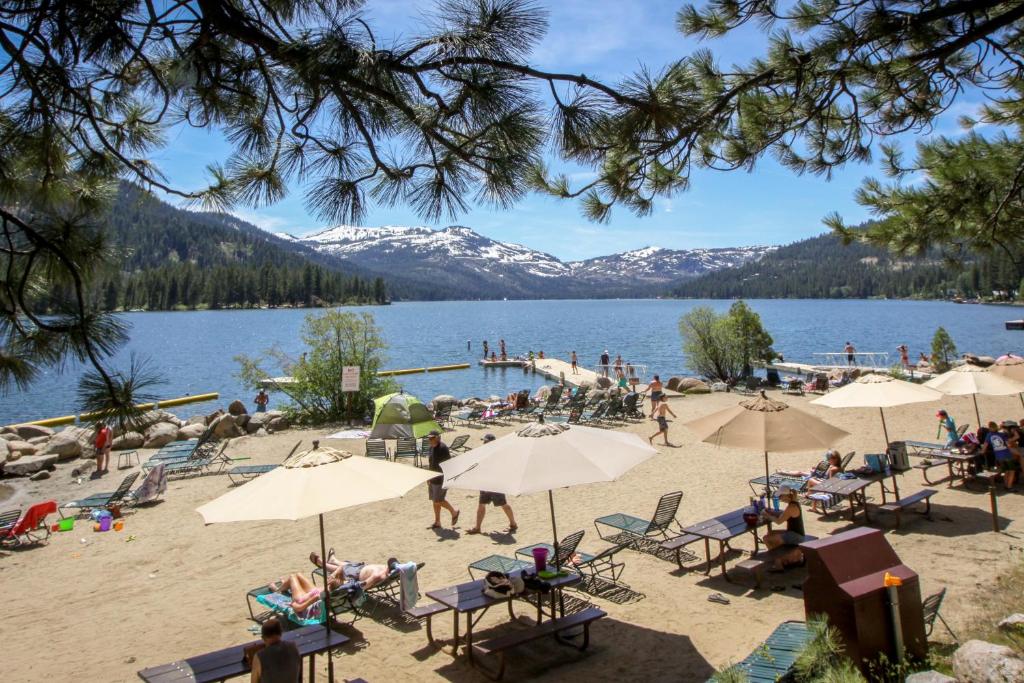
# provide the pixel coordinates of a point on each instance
(545, 457)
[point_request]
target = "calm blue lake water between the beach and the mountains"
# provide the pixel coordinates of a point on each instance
(195, 351)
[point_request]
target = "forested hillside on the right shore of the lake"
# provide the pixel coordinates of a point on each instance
(824, 268)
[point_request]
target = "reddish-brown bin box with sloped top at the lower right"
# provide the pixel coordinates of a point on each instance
(845, 582)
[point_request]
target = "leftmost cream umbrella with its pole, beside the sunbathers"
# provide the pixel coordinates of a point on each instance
(315, 483)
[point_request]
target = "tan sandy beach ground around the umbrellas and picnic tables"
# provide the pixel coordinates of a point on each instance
(101, 607)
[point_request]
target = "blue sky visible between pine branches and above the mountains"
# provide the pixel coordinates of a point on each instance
(608, 39)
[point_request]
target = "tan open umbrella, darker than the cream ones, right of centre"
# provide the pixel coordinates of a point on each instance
(767, 426)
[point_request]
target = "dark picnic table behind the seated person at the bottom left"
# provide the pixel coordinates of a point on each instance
(229, 663)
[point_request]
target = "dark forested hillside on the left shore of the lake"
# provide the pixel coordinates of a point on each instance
(164, 259)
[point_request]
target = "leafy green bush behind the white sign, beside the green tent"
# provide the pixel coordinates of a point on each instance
(333, 340)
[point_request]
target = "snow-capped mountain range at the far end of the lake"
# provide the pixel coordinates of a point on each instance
(459, 261)
